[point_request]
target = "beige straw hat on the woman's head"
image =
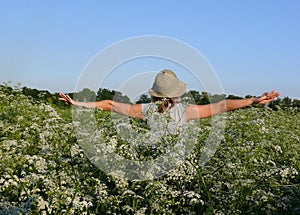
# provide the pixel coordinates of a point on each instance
(166, 84)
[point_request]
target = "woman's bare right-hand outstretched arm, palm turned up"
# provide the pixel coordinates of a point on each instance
(203, 111)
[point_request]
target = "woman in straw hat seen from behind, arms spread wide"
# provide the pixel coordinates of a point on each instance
(166, 92)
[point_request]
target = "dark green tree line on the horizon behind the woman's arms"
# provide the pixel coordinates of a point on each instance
(196, 97)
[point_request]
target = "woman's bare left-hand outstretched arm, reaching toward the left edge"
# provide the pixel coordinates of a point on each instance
(131, 110)
